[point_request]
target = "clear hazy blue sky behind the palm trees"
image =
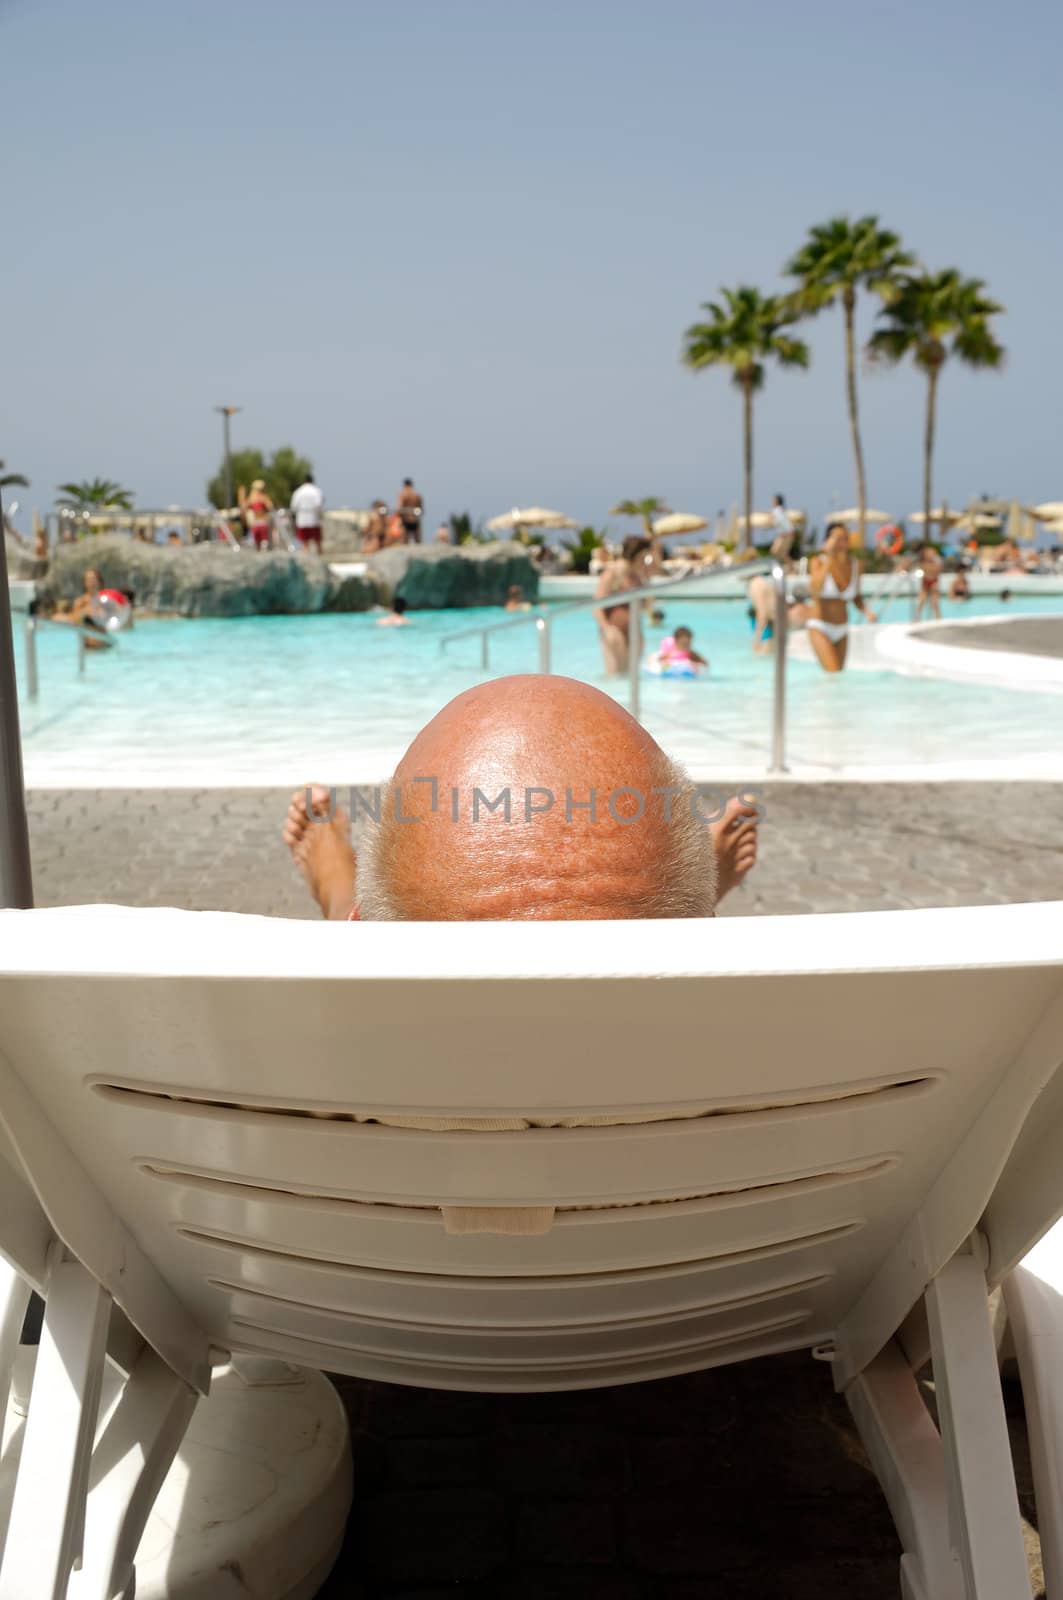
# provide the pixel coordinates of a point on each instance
(460, 239)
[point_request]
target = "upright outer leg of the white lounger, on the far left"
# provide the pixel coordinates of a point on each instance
(49, 1508)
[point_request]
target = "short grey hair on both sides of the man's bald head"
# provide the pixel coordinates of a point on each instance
(686, 886)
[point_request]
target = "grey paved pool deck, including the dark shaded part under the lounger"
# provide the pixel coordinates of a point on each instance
(739, 1484)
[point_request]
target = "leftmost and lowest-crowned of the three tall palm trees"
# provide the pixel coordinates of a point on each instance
(744, 334)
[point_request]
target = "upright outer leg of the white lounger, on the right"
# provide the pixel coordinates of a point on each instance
(985, 1522)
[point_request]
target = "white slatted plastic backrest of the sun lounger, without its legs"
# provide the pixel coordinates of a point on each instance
(828, 1103)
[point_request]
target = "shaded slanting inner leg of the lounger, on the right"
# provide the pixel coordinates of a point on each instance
(909, 1458)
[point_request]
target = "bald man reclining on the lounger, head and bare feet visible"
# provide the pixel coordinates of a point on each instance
(527, 799)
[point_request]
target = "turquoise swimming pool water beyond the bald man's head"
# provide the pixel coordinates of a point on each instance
(281, 700)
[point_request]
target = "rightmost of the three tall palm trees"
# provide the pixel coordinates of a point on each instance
(937, 316)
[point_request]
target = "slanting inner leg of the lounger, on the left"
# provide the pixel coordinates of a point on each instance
(130, 1462)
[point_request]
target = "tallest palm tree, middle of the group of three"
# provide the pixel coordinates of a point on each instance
(838, 260)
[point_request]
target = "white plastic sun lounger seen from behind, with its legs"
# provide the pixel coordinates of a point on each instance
(833, 1134)
